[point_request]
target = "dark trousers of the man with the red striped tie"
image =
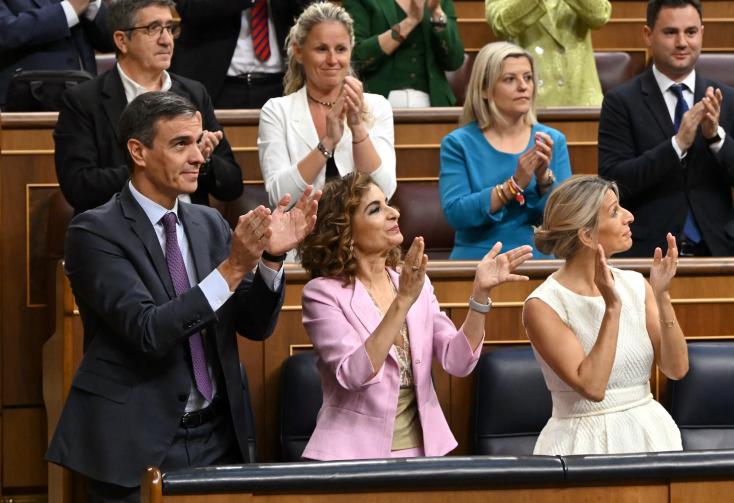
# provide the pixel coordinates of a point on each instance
(249, 91)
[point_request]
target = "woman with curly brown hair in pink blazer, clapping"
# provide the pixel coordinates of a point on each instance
(377, 327)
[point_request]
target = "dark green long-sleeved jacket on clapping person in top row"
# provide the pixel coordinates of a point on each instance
(433, 51)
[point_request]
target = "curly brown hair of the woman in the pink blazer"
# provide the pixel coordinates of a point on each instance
(327, 251)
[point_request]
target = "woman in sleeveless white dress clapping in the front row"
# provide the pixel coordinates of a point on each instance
(596, 330)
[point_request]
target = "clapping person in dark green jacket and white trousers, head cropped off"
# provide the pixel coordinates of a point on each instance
(404, 47)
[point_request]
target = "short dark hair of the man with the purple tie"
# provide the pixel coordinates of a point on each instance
(140, 118)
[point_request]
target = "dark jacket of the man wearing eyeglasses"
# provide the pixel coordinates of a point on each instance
(91, 161)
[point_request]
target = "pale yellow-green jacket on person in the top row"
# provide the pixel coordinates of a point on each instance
(558, 35)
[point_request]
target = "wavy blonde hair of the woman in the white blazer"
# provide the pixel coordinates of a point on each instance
(316, 13)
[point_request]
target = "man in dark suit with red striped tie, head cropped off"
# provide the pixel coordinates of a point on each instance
(236, 48)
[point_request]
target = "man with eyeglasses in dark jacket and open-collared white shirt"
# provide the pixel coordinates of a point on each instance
(91, 163)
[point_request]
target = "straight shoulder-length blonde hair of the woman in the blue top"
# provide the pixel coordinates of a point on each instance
(485, 73)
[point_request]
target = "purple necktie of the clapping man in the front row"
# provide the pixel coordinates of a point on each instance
(177, 269)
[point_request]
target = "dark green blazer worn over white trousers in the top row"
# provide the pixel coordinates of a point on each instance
(444, 50)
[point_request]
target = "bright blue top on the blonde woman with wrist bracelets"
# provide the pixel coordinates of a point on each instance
(470, 169)
